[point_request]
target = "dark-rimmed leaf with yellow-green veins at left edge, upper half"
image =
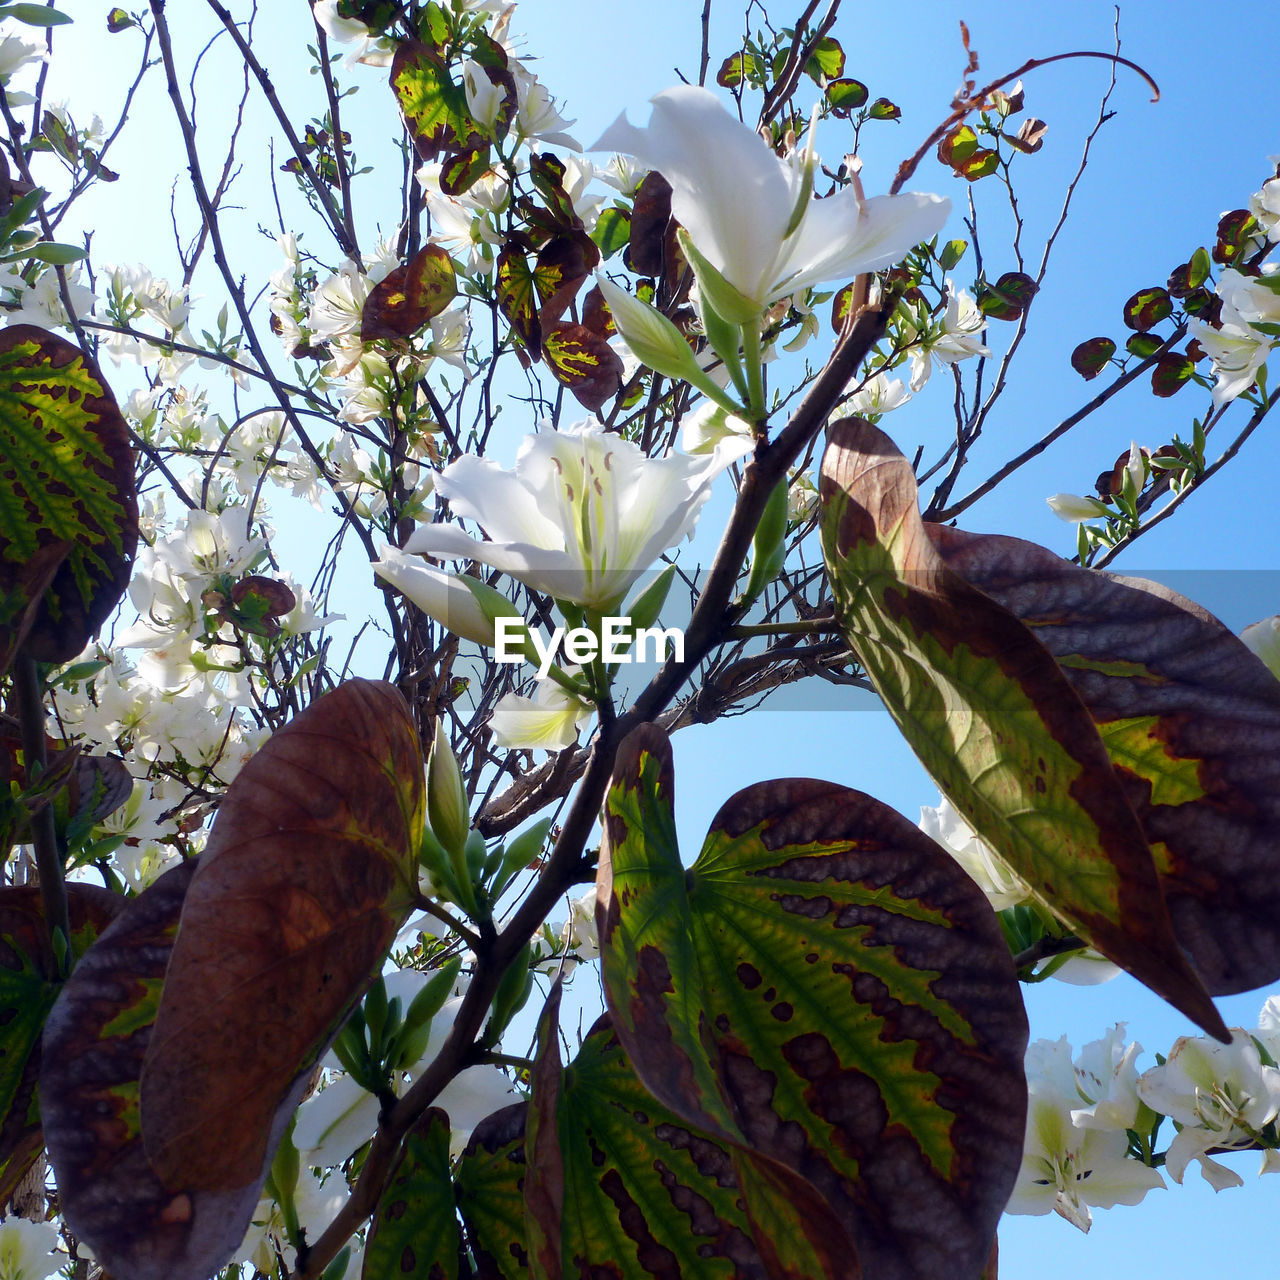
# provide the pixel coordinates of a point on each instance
(66, 481)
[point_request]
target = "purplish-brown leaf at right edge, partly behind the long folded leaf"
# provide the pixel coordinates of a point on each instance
(1192, 721)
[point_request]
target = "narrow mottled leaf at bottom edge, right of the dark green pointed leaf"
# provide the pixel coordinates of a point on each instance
(490, 1181)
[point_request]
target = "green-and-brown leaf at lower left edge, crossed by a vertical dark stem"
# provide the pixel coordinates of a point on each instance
(28, 991)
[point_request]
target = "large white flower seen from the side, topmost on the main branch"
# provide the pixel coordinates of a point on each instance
(751, 214)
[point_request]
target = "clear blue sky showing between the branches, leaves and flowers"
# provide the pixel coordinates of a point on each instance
(1162, 176)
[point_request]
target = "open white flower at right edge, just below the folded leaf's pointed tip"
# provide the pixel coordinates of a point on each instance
(1222, 1095)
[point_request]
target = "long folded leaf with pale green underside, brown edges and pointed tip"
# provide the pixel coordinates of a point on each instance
(993, 719)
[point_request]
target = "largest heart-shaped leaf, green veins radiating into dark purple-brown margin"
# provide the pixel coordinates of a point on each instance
(831, 996)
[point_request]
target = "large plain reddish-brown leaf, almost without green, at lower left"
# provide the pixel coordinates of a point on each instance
(310, 870)
